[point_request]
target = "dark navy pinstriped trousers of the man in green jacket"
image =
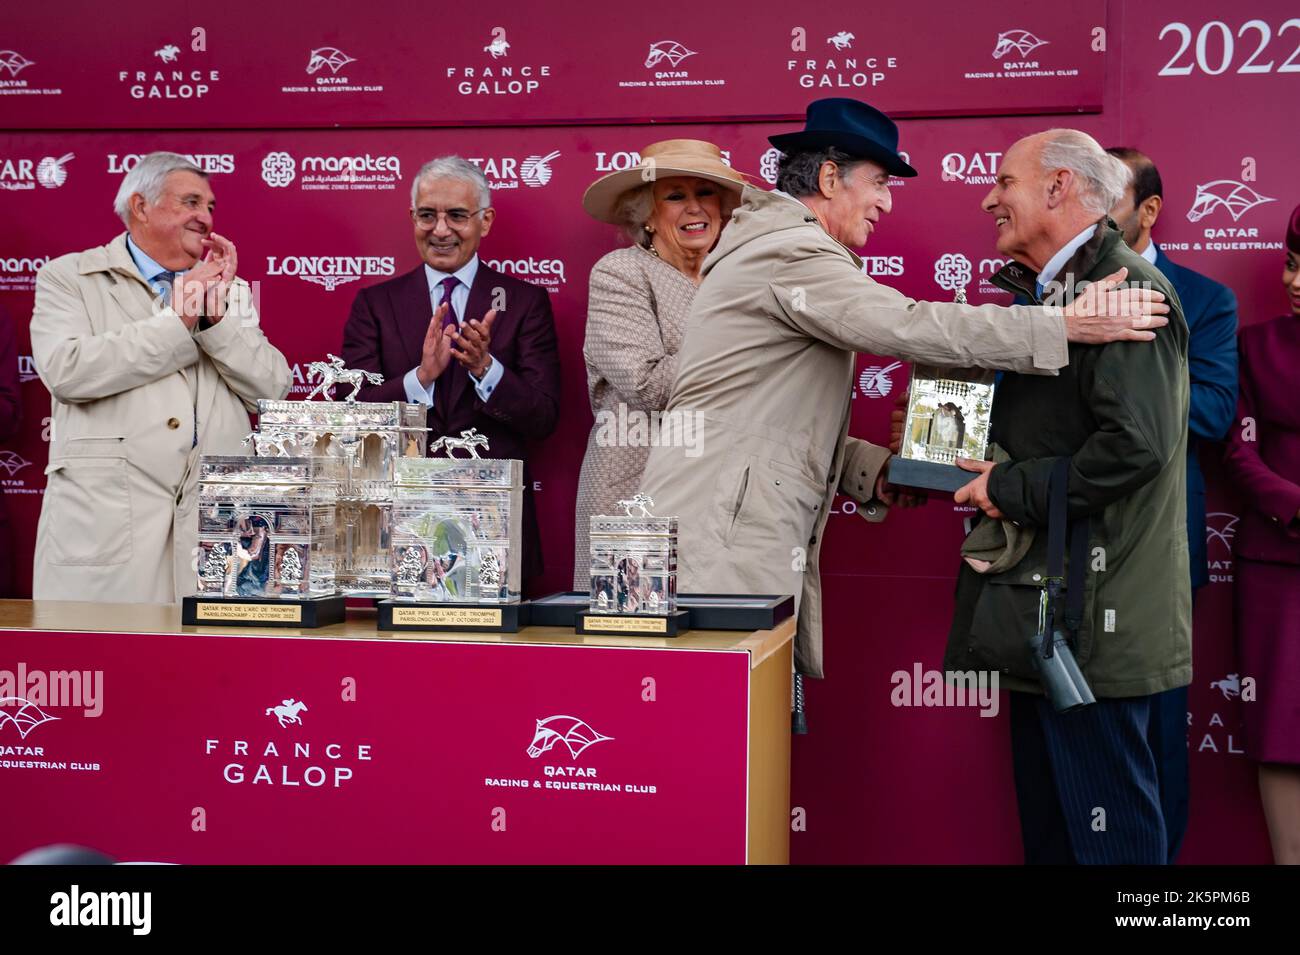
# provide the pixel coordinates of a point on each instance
(1087, 783)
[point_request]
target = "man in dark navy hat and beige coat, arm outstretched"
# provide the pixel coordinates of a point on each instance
(768, 364)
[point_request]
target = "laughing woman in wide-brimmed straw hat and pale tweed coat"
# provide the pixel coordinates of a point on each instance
(673, 206)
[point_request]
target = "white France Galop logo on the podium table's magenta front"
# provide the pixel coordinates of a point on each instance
(302, 763)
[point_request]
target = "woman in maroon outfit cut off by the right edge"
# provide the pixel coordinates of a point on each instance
(1264, 465)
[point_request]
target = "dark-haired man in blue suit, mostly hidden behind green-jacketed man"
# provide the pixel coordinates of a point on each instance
(1211, 312)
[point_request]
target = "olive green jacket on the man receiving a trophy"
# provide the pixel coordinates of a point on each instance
(1120, 414)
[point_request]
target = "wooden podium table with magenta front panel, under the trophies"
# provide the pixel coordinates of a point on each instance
(127, 732)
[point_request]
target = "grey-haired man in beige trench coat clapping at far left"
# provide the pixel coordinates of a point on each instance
(153, 354)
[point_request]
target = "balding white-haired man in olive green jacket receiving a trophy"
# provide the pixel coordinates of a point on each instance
(1086, 780)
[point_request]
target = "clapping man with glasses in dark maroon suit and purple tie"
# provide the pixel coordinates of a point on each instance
(488, 358)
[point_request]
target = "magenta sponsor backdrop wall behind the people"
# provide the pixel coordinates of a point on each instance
(1194, 84)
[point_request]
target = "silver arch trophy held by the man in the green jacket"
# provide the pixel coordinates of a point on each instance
(948, 411)
